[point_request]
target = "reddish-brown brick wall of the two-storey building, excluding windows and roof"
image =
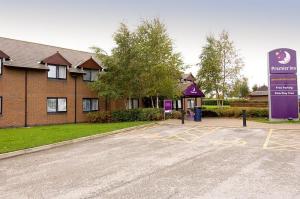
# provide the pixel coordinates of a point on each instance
(12, 89)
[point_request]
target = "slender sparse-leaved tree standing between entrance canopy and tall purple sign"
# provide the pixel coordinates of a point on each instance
(220, 66)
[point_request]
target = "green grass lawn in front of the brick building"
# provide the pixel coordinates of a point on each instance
(14, 139)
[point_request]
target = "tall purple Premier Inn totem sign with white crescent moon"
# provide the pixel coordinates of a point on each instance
(283, 89)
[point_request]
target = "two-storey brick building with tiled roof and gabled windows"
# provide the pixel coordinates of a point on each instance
(41, 84)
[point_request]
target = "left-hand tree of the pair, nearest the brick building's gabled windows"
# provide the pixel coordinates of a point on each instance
(121, 76)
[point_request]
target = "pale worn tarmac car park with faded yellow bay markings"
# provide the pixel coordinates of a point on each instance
(166, 160)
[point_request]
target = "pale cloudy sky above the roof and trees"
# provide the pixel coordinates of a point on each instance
(255, 26)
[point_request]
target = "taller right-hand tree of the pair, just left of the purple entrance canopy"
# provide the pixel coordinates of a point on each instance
(160, 63)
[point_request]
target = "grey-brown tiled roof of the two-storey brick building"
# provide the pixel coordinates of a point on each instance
(29, 55)
